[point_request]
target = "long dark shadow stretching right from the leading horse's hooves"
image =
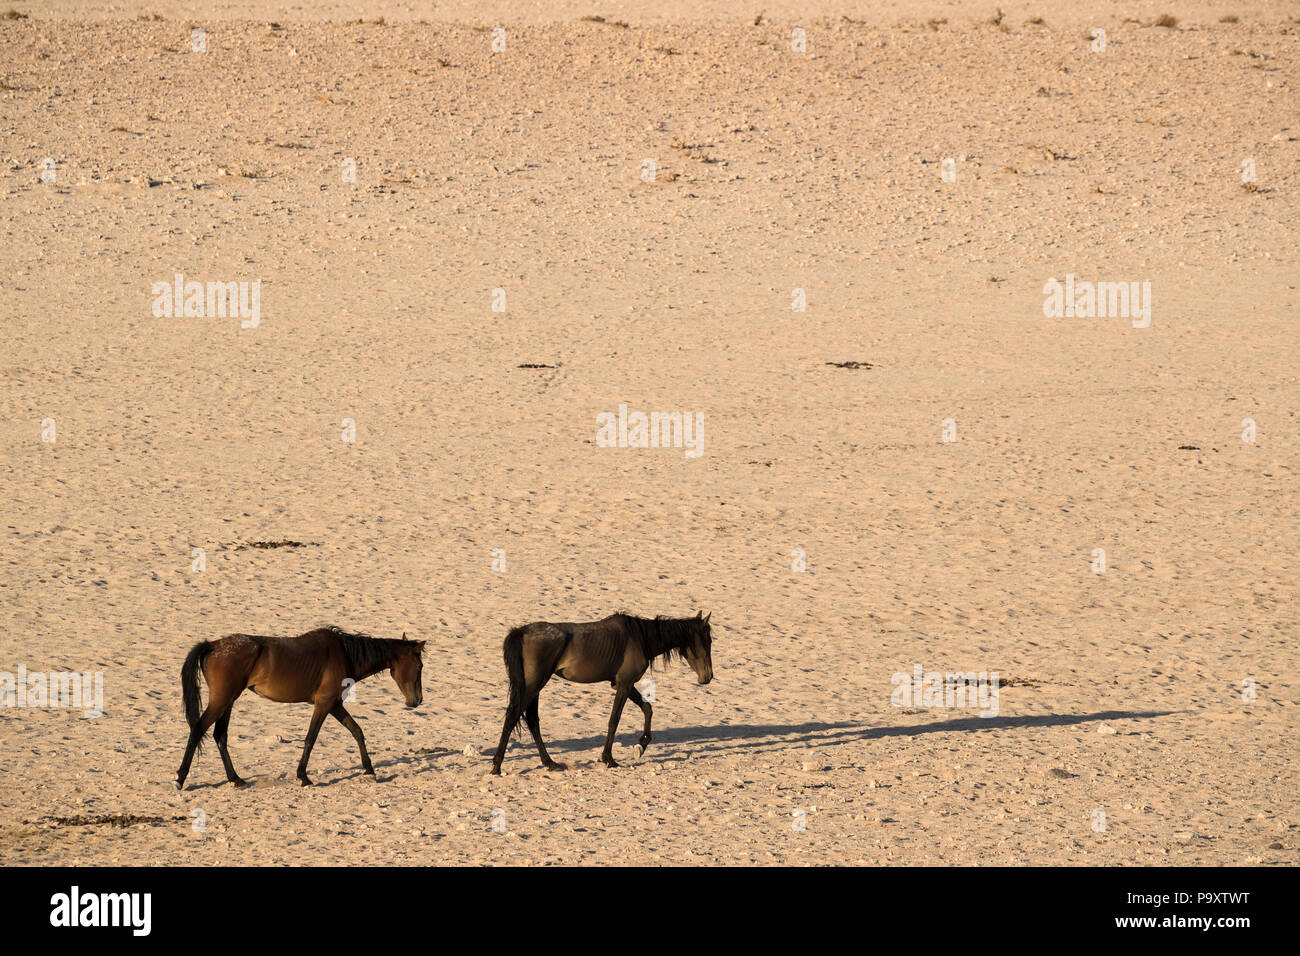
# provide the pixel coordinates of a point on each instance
(759, 738)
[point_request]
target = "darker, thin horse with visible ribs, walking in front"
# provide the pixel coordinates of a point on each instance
(618, 650)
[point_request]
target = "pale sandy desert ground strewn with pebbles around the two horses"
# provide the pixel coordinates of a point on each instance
(1128, 729)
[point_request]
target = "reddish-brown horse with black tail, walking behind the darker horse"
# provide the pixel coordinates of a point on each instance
(320, 667)
